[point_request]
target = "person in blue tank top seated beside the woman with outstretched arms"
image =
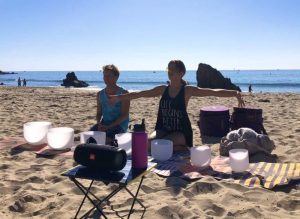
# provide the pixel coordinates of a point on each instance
(111, 118)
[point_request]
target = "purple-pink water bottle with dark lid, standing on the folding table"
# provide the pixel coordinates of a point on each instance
(139, 146)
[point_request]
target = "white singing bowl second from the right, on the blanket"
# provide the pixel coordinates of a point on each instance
(200, 156)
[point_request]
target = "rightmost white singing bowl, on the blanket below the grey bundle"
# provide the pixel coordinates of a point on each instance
(239, 160)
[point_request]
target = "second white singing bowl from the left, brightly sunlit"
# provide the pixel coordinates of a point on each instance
(60, 138)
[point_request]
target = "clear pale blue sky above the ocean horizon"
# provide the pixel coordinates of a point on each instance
(147, 34)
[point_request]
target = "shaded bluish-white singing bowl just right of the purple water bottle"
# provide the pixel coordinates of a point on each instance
(161, 149)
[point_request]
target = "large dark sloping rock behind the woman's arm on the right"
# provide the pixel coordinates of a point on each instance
(208, 77)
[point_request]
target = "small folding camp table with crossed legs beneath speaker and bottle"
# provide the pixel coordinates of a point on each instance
(123, 178)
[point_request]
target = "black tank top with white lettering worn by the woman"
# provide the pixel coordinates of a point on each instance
(172, 115)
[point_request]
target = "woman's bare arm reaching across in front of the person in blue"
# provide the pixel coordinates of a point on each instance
(154, 92)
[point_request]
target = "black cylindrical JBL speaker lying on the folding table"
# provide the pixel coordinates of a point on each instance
(100, 157)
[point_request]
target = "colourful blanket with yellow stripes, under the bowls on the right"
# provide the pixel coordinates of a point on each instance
(262, 174)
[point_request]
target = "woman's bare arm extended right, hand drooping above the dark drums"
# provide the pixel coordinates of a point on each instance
(202, 92)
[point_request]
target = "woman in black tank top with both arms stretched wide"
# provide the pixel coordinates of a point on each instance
(172, 120)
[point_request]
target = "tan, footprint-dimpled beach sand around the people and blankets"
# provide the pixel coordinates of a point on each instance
(33, 187)
